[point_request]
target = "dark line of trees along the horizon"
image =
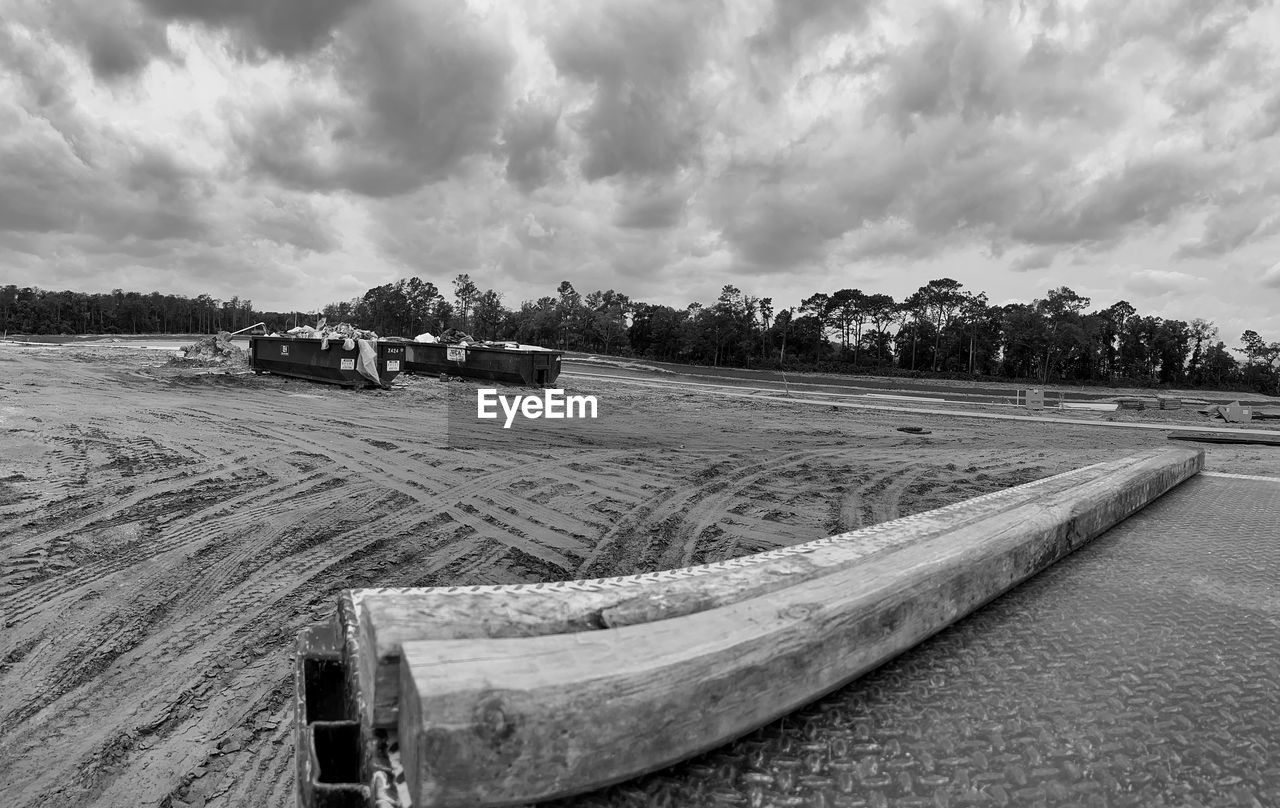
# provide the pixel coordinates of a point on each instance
(940, 330)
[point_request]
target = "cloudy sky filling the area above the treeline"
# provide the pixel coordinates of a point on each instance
(301, 152)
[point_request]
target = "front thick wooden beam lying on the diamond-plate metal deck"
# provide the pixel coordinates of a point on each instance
(515, 720)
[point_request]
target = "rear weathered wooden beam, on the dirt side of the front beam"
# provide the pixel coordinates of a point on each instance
(388, 618)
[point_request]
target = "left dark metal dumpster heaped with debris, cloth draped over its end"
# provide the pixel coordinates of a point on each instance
(304, 359)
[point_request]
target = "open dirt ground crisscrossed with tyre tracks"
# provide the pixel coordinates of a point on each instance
(166, 533)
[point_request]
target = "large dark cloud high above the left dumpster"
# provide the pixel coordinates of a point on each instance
(426, 89)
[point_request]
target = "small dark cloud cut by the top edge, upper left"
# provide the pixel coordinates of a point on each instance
(280, 26)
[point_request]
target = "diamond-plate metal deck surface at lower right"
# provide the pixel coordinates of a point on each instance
(1144, 670)
